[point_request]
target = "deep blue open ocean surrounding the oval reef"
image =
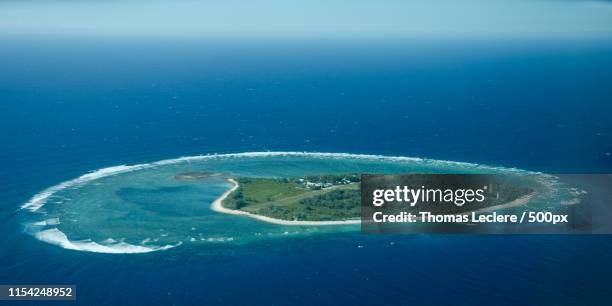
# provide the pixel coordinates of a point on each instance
(69, 105)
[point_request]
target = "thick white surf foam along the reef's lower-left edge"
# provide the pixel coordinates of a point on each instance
(56, 237)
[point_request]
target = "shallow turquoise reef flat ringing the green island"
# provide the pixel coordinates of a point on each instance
(145, 207)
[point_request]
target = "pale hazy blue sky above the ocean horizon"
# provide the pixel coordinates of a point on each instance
(429, 18)
